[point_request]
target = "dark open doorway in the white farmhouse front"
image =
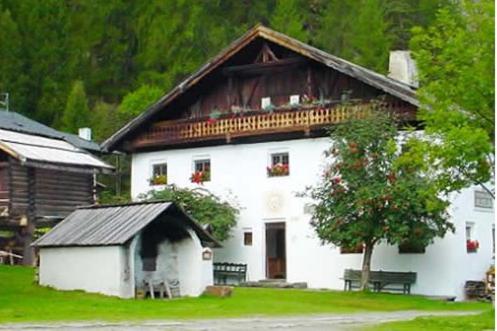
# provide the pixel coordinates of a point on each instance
(275, 251)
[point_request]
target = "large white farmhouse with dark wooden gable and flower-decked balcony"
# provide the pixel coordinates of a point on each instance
(251, 125)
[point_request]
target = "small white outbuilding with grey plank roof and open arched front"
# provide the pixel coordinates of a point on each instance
(128, 250)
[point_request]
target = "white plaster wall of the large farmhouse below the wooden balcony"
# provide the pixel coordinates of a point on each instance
(238, 173)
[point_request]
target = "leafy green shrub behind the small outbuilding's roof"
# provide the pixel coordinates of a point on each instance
(202, 205)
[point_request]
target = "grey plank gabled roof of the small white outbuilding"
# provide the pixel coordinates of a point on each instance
(114, 225)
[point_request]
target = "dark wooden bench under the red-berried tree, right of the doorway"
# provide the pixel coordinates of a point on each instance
(381, 280)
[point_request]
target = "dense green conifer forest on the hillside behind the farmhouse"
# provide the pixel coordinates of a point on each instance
(98, 63)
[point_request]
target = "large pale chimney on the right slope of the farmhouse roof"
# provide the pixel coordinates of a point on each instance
(403, 68)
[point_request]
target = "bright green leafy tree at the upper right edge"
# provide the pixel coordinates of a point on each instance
(455, 58)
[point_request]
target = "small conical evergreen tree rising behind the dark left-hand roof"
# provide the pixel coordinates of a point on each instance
(76, 114)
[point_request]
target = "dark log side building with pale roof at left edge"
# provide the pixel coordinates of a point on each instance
(44, 175)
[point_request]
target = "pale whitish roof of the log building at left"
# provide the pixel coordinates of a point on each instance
(46, 152)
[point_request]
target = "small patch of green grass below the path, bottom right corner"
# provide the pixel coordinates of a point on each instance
(484, 321)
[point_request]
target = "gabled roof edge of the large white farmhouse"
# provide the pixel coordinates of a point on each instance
(381, 82)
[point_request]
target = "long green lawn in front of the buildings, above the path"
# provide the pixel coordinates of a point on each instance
(22, 301)
